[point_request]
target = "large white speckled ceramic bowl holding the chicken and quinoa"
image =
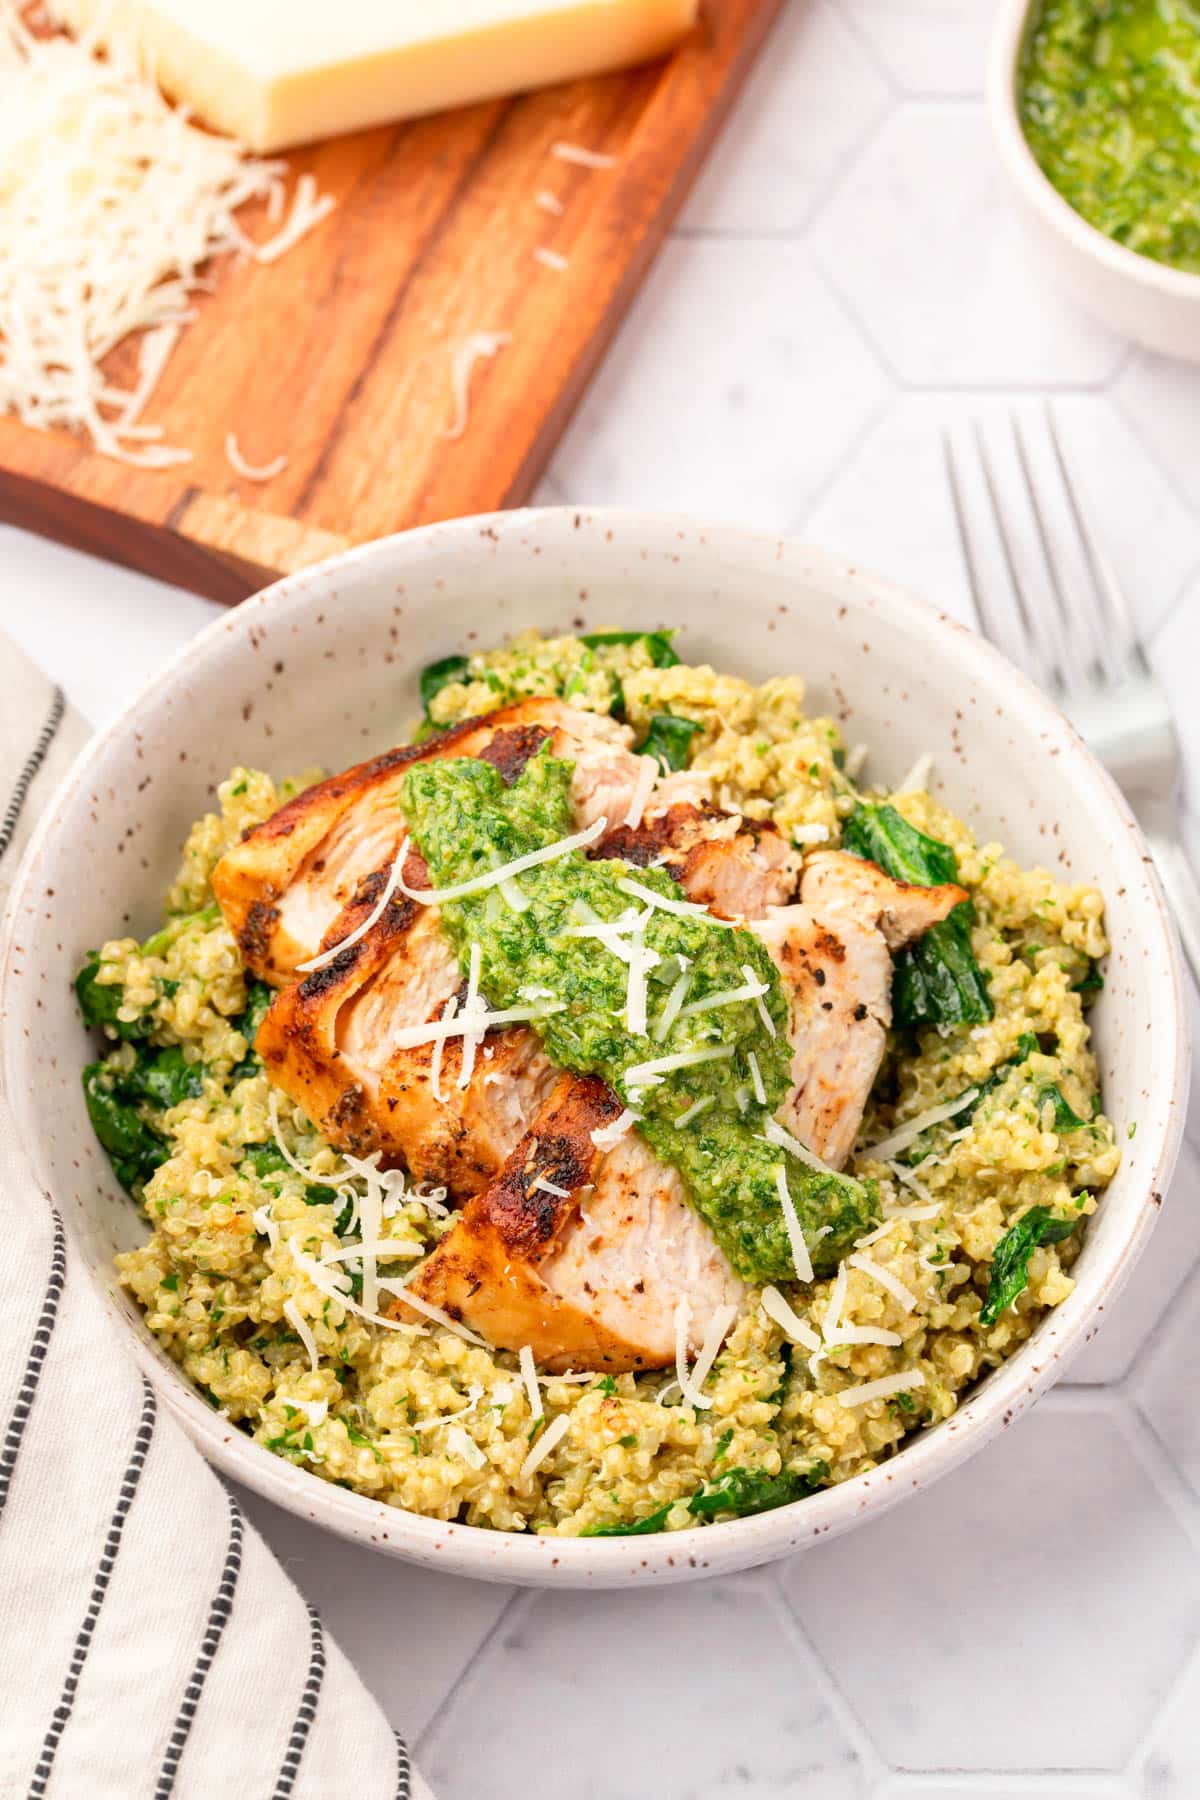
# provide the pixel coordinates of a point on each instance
(323, 669)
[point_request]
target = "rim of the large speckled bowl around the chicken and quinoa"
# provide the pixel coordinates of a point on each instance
(611, 1561)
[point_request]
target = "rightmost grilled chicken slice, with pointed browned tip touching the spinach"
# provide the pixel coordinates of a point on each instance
(834, 953)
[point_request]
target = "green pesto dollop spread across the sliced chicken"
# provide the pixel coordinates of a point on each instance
(467, 822)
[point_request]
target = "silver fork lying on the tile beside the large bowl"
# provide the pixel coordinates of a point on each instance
(1077, 638)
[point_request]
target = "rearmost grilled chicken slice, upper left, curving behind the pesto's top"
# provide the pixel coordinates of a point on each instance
(287, 883)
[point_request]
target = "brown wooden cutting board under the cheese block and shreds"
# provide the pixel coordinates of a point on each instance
(341, 354)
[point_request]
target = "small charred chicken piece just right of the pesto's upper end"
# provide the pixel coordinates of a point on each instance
(731, 865)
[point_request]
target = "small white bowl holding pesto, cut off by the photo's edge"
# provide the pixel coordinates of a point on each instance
(1142, 300)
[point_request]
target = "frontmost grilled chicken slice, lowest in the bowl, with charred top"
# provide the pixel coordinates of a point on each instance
(580, 1254)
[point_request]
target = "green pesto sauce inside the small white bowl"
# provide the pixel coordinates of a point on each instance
(1111, 107)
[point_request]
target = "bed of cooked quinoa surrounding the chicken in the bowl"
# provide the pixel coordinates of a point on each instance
(233, 1282)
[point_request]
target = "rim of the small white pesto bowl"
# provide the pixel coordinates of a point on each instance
(1001, 93)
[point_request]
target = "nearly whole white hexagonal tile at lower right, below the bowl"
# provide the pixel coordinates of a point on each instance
(1023, 1560)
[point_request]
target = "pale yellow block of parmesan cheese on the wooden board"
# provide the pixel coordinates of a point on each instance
(278, 73)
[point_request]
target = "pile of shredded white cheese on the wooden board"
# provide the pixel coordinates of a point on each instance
(111, 208)
